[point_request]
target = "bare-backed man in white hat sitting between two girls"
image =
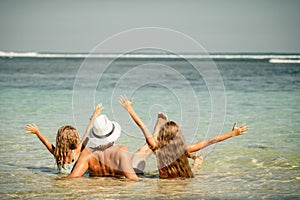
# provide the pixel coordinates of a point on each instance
(105, 160)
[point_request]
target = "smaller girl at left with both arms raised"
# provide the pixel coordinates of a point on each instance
(68, 144)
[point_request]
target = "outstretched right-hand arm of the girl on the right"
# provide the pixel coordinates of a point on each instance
(202, 144)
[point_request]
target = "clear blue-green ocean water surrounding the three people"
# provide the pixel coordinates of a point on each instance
(205, 95)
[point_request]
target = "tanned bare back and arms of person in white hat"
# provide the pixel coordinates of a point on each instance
(110, 162)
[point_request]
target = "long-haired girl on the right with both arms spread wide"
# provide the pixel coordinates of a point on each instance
(169, 146)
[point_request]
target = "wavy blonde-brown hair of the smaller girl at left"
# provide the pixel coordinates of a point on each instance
(67, 139)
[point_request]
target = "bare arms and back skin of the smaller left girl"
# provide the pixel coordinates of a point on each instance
(33, 129)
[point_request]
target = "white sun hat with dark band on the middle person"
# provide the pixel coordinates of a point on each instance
(104, 131)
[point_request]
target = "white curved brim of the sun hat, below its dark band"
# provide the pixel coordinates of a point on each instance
(112, 138)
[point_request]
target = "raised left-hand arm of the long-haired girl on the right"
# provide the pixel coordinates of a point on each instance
(128, 106)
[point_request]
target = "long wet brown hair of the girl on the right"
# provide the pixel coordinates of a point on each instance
(171, 152)
